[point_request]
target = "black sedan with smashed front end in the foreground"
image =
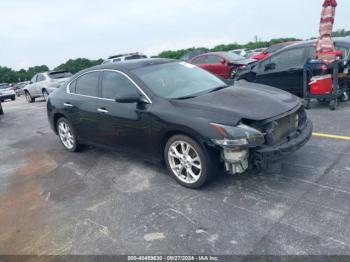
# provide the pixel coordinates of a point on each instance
(176, 113)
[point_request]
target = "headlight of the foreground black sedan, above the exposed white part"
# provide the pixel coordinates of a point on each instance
(241, 135)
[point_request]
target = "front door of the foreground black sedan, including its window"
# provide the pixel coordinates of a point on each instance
(124, 126)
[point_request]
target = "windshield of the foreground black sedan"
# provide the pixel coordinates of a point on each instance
(178, 80)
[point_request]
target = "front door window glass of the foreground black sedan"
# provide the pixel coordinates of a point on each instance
(114, 84)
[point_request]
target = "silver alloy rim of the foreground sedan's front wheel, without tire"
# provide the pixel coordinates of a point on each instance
(185, 162)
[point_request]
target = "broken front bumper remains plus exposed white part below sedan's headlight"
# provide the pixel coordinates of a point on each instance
(237, 159)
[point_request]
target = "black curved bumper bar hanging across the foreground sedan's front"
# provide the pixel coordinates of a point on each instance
(271, 153)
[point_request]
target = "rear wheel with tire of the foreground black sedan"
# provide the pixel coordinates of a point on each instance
(67, 135)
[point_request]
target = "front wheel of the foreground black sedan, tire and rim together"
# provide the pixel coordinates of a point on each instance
(188, 162)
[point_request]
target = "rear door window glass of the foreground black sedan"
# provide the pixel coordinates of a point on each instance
(87, 84)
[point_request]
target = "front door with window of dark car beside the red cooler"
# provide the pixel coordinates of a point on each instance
(284, 70)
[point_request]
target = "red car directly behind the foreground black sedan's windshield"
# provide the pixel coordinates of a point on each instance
(223, 64)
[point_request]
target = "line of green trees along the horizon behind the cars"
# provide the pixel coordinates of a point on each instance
(8, 75)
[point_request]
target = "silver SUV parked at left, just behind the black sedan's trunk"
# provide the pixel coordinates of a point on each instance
(43, 84)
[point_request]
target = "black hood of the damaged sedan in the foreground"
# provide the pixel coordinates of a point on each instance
(244, 100)
